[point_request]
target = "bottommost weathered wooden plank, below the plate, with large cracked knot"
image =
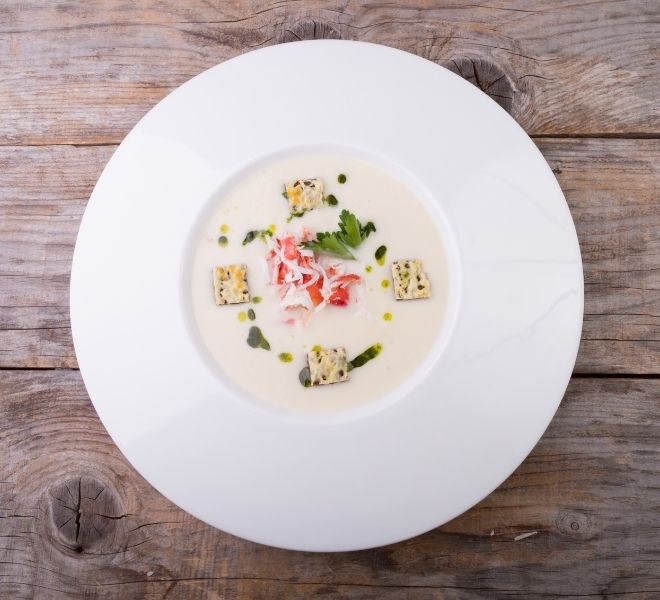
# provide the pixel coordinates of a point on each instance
(77, 522)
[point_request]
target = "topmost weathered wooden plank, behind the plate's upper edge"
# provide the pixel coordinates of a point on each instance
(81, 72)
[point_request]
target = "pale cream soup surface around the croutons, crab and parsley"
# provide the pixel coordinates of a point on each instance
(405, 330)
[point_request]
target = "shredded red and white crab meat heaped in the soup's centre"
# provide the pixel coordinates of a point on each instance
(307, 283)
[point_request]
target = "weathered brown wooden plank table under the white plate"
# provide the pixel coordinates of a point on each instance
(76, 521)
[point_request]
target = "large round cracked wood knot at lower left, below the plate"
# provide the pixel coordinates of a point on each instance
(85, 514)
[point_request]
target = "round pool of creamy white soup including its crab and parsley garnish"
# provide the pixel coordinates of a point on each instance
(303, 299)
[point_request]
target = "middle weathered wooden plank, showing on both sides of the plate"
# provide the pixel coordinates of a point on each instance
(611, 187)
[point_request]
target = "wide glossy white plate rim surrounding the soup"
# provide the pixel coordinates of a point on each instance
(357, 479)
